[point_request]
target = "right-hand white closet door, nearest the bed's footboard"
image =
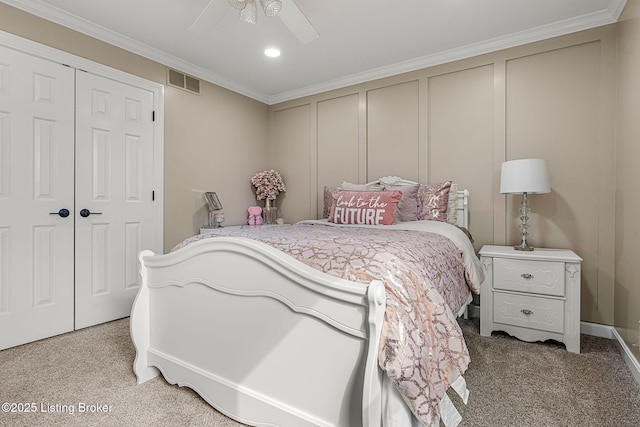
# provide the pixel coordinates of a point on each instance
(114, 165)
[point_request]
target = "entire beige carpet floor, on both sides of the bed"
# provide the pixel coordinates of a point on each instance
(512, 383)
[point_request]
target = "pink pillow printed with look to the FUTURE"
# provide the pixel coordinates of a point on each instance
(364, 207)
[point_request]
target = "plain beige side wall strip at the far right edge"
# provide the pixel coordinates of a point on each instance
(627, 207)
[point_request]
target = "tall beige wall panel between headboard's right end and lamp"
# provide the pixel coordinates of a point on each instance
(461, 127)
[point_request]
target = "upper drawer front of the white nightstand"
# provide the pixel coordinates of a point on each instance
(538, 277)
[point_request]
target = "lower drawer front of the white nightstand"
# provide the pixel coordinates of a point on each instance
(544, 314)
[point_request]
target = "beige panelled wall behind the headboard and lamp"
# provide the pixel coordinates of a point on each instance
(553, 99)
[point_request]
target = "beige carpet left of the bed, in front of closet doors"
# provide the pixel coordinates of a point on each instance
(95, 366)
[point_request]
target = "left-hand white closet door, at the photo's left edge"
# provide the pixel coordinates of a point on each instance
(36, 182)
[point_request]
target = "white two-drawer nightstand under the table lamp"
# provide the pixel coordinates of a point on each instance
(534, 296)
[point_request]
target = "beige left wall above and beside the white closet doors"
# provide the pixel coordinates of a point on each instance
(213, 142)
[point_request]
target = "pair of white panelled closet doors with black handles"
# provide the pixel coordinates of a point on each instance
(76, 170)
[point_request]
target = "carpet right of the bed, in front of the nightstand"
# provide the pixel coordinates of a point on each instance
(514, 383)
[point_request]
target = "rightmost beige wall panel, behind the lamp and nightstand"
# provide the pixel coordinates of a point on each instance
(556, 109)
